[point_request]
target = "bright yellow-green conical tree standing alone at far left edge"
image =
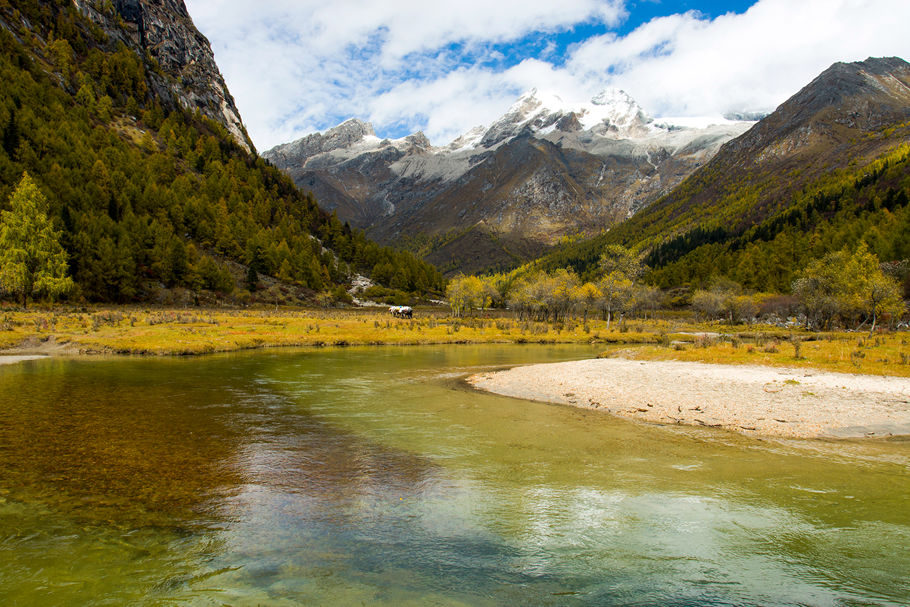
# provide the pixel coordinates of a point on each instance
(32, 260)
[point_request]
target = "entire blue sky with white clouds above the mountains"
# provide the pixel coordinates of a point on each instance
(444, 66)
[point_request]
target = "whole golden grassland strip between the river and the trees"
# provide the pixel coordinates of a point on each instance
(152, 331)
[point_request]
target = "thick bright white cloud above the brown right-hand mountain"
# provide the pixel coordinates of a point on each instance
(686, 65)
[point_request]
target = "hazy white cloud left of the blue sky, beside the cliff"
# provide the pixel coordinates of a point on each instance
(293, 65)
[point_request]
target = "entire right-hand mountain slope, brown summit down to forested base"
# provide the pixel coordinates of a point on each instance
(826, 169)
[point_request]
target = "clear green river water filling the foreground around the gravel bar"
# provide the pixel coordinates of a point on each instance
(373, 476)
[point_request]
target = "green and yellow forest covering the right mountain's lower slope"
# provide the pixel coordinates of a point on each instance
(864, 202)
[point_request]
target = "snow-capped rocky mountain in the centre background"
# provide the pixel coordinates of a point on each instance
(546, 168)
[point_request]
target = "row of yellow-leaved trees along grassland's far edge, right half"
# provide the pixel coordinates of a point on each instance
(844, 288)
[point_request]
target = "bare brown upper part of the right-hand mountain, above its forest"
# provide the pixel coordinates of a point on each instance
(842, 118)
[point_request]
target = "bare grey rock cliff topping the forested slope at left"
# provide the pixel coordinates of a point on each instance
(189, 77)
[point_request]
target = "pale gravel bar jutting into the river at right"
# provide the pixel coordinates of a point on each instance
(753, 400)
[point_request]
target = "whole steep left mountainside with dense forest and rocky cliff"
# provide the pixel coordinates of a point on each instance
(155, 198)
